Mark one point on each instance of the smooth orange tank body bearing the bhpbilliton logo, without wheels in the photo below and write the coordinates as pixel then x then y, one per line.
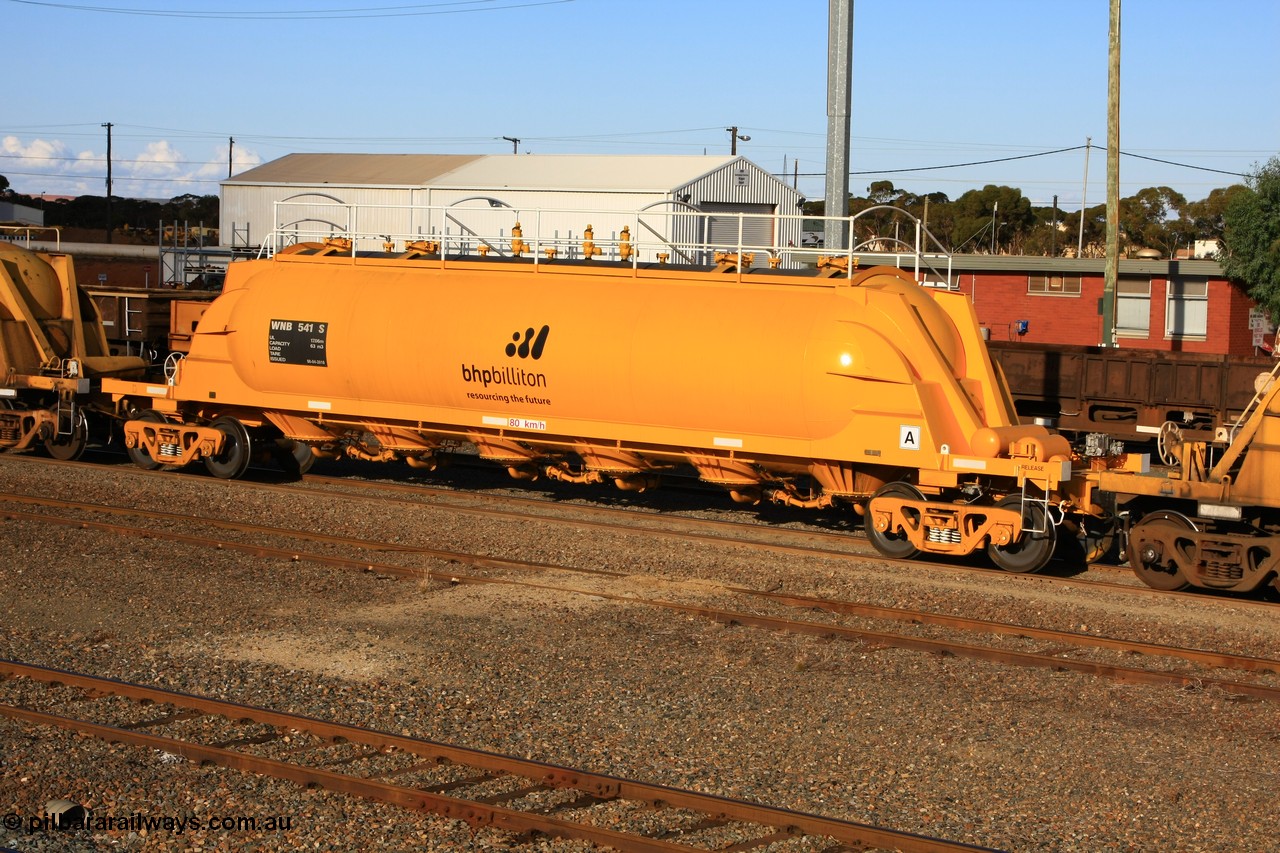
pixel 866 370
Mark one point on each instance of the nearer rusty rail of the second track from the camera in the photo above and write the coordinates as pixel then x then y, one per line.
pixel 1123 674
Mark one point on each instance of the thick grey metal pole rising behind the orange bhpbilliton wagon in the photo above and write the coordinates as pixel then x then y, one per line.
pixel 840 62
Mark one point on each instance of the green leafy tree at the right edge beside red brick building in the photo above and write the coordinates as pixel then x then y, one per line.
pixel 1251 239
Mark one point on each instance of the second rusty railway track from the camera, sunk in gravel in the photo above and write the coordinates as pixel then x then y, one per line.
pixel 1009 644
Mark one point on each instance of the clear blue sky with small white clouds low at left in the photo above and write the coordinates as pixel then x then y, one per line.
pixel 935 84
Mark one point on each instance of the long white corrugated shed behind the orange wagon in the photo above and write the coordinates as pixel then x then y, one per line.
pixel 428 195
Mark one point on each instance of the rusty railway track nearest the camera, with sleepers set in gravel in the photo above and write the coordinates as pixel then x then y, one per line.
pixel 481 788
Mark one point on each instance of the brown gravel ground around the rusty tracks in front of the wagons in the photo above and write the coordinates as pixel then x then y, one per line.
pixel 989 755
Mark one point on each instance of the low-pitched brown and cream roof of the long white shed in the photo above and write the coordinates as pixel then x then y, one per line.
pixel 514 171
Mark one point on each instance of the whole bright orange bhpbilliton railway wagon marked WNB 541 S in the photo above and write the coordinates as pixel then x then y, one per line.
pixel 815 386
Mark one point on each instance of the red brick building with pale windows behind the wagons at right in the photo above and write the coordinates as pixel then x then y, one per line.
pixel 1169 305
